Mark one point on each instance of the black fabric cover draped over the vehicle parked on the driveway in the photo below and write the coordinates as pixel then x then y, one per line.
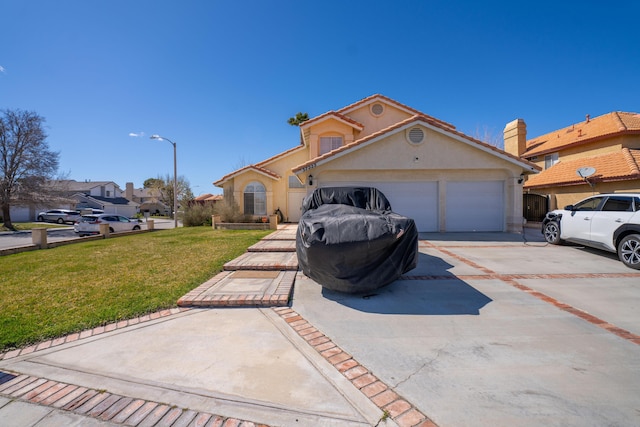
pixel 349 240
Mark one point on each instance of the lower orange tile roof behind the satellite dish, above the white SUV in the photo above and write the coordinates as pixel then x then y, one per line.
pixel 618 166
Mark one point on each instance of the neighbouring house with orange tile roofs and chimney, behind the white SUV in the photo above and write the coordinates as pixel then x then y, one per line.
pixel 608 144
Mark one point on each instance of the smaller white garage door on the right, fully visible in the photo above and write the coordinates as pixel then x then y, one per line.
pixel 475 206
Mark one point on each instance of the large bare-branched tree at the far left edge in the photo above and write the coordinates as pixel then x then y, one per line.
pixel 26 162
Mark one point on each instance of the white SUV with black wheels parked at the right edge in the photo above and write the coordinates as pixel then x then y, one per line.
pixel 606 221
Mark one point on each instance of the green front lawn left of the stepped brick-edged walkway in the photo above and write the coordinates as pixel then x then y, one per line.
pixel 53 292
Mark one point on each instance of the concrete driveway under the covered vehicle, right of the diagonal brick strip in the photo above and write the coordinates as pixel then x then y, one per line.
pixel 491 330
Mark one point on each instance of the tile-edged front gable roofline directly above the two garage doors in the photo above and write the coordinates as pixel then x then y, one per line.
pixel 420 117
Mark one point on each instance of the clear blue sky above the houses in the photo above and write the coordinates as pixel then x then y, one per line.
pixel 222 78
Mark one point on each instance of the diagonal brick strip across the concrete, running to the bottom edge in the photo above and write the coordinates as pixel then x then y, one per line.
pixel 399 409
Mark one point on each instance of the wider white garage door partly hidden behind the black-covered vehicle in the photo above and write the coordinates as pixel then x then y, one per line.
pixel 416 200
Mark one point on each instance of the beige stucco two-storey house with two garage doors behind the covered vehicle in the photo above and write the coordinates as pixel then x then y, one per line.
pixel 443 179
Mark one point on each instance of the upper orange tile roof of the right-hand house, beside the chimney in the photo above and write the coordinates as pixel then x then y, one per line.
pixel 604 126
